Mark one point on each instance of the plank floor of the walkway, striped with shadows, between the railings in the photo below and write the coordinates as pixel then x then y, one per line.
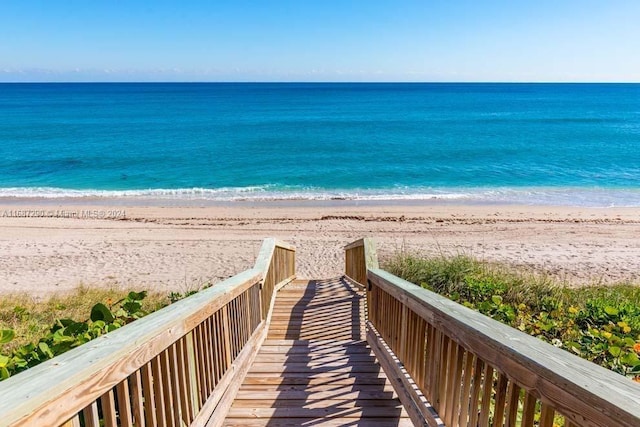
pixel 315 367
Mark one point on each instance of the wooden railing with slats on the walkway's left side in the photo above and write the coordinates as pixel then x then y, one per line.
pixel 179 366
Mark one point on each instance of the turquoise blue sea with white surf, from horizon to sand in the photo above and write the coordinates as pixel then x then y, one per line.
pixel 570 144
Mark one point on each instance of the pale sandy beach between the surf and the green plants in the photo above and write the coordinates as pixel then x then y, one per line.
pixel 50 246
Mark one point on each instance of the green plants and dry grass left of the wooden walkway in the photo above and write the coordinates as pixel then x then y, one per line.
pixel 33 331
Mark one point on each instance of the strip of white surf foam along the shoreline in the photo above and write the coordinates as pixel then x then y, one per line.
pixel 587 197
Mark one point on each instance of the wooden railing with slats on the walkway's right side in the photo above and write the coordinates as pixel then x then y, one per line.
pixel 457 367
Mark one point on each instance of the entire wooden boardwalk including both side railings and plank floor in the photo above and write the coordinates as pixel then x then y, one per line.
pixel 264 349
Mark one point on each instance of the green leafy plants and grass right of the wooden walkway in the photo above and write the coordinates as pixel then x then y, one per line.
pixel 598 323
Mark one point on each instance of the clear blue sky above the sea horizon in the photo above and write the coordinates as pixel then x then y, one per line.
pixel 321 40
